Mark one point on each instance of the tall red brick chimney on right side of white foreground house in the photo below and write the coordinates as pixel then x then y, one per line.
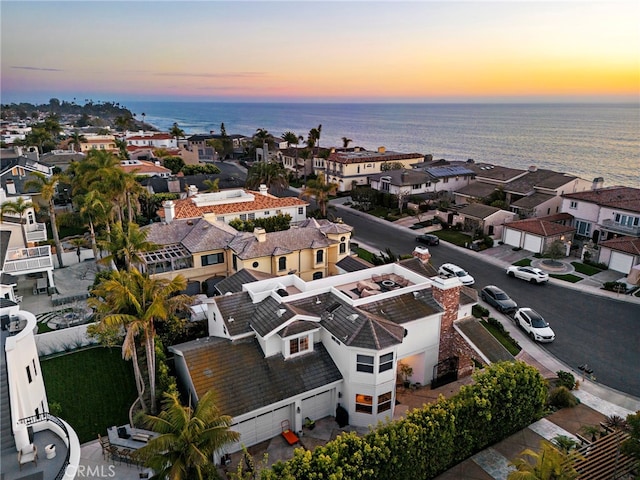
pixel 446 291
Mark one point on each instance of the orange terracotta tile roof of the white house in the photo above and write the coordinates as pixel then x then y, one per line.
pixel 186 208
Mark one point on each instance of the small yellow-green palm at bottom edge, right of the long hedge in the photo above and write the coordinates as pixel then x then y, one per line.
pixel 548 464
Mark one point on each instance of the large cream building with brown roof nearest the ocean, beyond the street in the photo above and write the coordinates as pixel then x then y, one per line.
pixel 348 168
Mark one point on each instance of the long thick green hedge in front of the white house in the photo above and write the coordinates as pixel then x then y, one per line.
pixel 506 397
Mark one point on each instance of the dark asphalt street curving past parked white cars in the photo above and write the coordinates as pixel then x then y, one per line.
pixel 604 333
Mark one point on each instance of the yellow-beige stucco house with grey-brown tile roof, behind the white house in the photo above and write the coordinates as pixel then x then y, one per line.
pixel 206 250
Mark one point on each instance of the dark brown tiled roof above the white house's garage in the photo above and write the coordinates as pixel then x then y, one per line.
pixel 245 381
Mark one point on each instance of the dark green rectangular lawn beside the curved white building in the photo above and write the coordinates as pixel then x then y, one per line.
pixel 94 387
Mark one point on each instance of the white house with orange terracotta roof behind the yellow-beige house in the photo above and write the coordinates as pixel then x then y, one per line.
pixel 231 204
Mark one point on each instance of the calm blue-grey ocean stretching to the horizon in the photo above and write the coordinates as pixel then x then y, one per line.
pixel 587 140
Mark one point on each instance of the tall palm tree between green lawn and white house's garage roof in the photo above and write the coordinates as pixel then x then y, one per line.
pixel 136 302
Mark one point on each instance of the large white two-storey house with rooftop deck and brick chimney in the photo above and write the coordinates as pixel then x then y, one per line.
pixel 283 349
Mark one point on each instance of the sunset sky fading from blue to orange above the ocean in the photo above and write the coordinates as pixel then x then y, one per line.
pixel 327 51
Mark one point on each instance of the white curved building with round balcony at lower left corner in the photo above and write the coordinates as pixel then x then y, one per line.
pixel 25 415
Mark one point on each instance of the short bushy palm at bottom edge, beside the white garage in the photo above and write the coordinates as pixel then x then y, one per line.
pixel 188 438
